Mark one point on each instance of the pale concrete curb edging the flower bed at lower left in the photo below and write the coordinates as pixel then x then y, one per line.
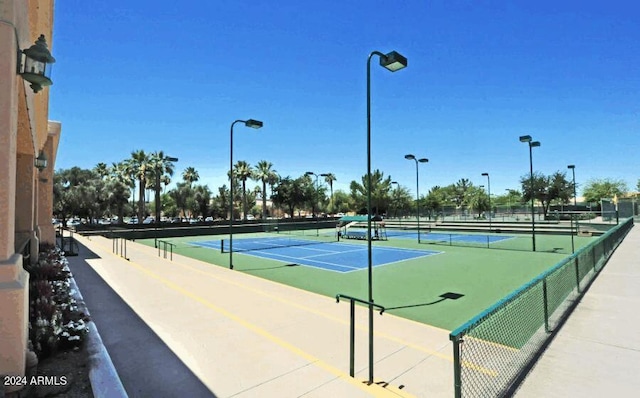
pixel 104 378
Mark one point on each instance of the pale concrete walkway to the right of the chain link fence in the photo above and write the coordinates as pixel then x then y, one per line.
pixel 597 351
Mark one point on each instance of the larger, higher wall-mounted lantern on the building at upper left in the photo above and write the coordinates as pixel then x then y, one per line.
pixel 34 68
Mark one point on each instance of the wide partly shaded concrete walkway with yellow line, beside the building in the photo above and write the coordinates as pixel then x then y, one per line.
pixel 188 328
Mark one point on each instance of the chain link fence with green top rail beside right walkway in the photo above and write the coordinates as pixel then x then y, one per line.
pixel 492 350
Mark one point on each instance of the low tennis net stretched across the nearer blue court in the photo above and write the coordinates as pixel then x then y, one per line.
pixel 275 242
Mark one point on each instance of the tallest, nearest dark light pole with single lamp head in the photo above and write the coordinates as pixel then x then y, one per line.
pixel 392 62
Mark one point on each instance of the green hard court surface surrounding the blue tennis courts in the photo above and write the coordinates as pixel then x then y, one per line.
pixel 414 287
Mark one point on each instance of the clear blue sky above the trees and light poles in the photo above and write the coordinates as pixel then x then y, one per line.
pixel 172 76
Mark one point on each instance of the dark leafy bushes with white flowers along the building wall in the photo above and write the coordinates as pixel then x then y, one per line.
pixel 55 321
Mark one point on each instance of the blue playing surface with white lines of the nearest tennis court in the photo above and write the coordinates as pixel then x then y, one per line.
pixel 335 256
